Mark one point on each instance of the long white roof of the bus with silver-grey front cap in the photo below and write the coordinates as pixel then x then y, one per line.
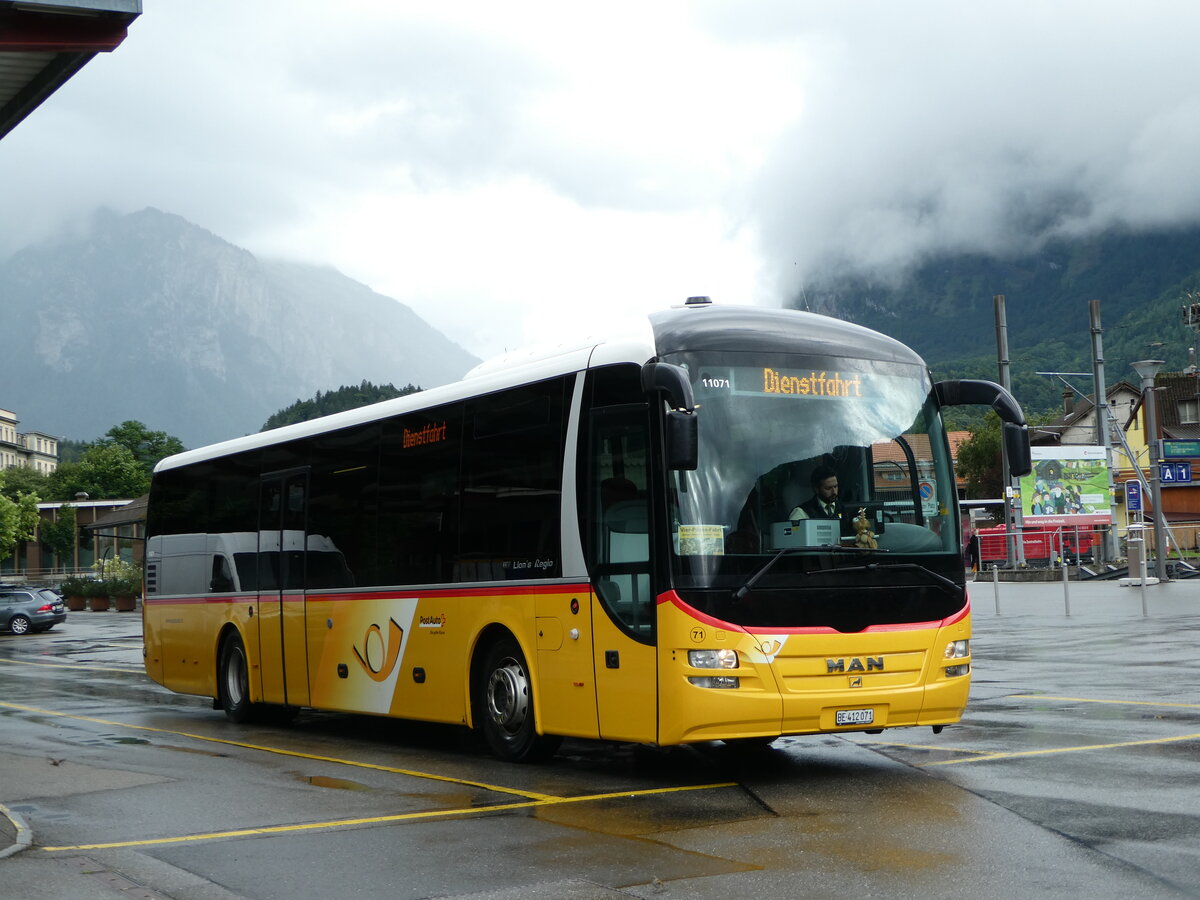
pixel 693 327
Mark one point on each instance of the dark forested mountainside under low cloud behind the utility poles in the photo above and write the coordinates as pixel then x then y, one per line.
pixel 944 309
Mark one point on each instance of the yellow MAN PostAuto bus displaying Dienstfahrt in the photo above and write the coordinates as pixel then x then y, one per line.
pixel 608 541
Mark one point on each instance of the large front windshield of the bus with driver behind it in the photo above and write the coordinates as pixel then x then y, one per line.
pixel 825 463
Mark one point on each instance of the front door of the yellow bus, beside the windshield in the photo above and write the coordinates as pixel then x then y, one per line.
pixel 619 554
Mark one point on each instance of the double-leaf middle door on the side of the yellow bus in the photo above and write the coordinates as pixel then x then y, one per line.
pixel 281 581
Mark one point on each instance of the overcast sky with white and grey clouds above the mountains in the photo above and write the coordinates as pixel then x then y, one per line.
pixel 514 170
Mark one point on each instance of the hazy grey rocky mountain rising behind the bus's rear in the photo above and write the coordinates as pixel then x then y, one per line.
pixel 149 317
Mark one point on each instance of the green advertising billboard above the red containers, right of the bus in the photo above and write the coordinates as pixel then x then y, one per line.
pixel 1069 487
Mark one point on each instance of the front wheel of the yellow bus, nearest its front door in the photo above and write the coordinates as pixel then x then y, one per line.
pixel 505 706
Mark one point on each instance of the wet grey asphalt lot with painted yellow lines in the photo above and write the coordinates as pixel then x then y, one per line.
pixel 1076 772
